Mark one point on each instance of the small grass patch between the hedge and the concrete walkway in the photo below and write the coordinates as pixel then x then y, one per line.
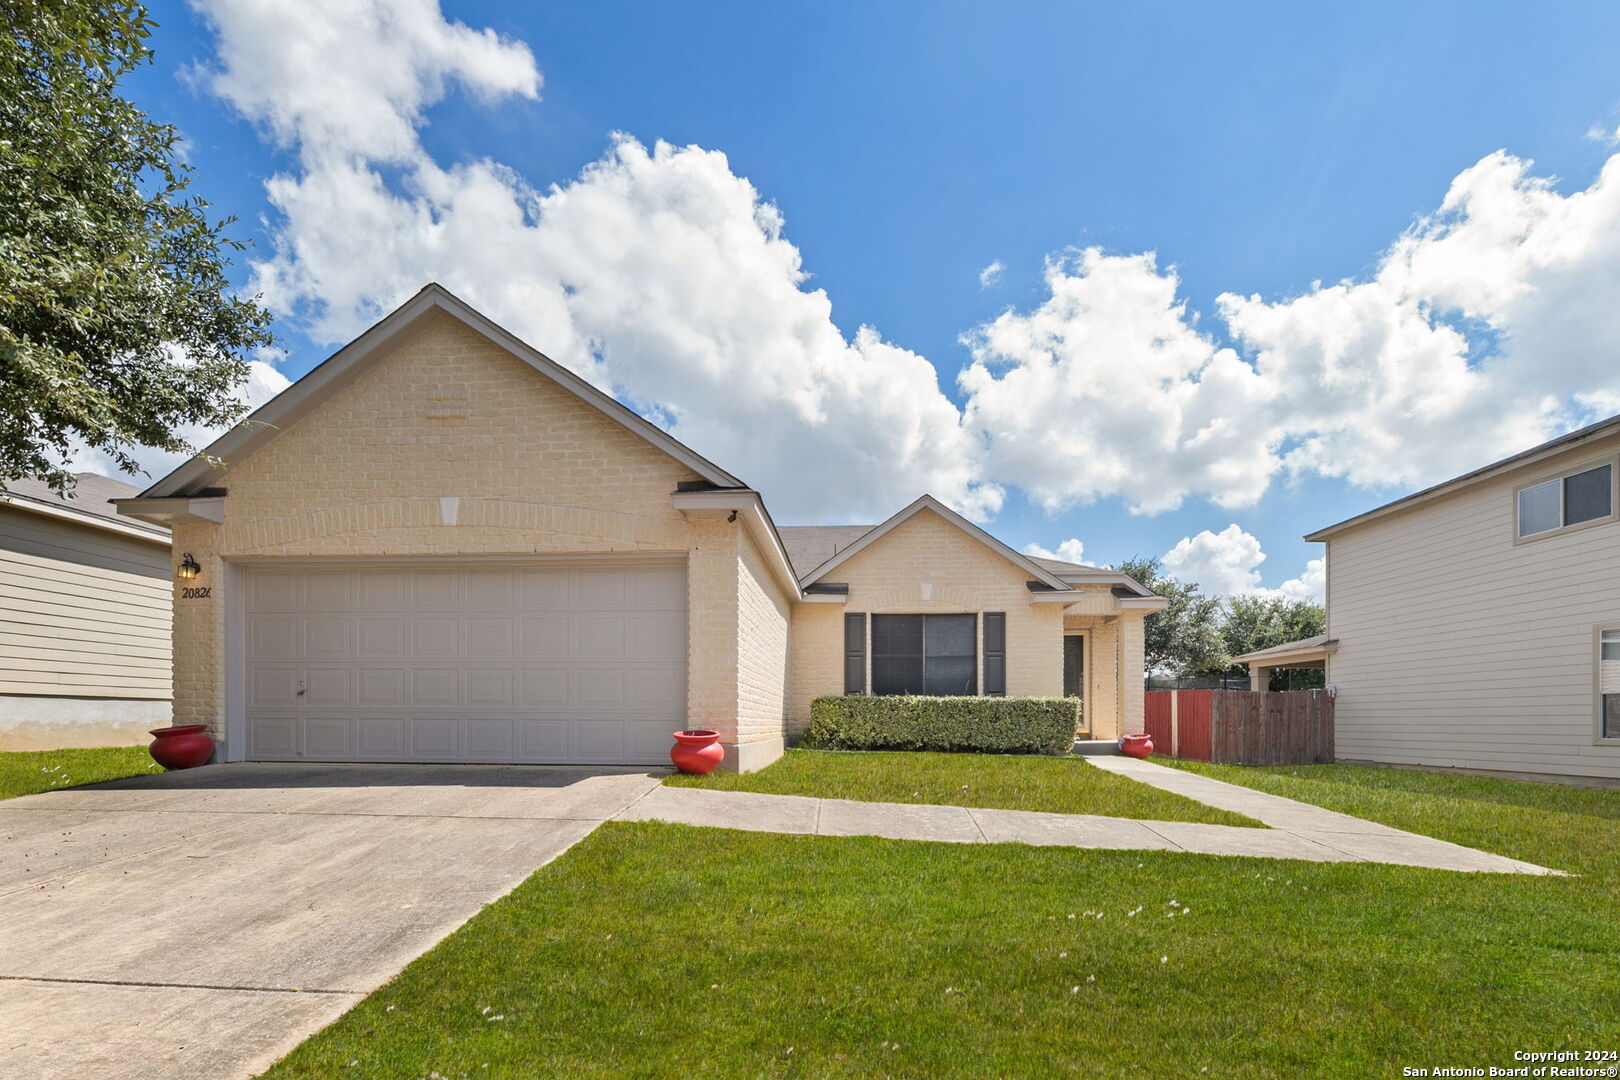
pixel 1064 786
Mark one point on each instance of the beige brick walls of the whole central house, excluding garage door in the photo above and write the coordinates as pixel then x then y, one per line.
pixel 448 446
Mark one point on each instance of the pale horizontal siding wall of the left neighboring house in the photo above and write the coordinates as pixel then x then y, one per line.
pixel 85 613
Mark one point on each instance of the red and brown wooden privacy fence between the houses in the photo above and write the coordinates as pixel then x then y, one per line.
pixel 1242 726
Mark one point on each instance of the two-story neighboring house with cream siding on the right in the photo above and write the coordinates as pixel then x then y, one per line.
pixel 1477 624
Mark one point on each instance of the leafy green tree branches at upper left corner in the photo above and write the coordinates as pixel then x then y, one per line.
pixel 117 325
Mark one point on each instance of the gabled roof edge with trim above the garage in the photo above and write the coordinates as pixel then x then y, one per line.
pixel 349 362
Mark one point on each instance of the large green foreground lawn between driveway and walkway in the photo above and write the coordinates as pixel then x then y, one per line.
pixel 668 951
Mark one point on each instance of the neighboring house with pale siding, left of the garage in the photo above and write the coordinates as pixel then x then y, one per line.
pixel 85 657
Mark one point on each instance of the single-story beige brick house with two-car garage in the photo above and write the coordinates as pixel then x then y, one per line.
pixel 443 546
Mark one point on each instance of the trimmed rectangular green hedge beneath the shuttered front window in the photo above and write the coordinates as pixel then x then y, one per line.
pixel 916 723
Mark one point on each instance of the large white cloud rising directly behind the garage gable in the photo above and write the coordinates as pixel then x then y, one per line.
pixel 655 273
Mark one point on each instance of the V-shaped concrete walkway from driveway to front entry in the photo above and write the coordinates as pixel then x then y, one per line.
pixel 1297 830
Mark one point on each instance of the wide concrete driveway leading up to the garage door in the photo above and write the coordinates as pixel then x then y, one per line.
pixel 203 924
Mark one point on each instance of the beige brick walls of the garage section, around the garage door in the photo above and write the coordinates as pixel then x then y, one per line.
pixel 535 470
